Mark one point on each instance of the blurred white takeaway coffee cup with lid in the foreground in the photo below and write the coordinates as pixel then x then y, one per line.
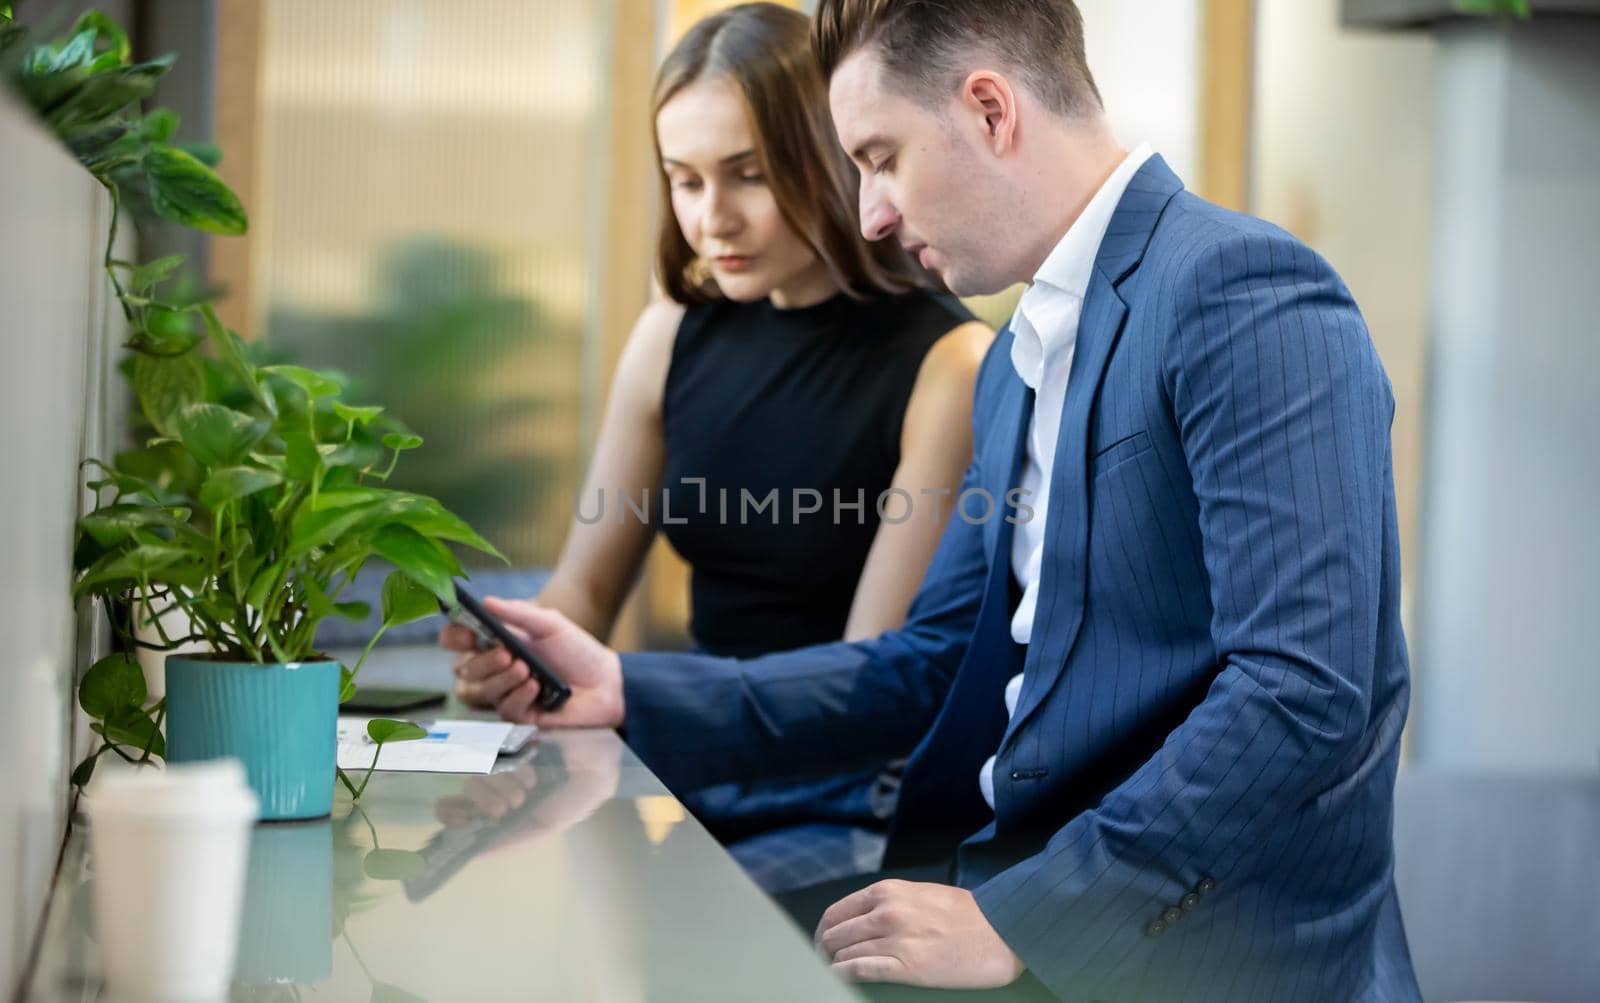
pixel 169 852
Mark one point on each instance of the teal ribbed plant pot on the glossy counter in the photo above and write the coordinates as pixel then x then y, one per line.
pixel 282 721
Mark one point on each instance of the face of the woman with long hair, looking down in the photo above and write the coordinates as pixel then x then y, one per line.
pixel 724 206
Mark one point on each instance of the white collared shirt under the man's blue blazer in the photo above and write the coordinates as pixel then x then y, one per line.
pixel 1044 340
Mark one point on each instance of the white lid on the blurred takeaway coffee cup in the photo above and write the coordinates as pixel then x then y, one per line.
pixel 215 789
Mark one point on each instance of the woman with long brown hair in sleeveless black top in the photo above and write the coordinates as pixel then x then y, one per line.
pixel 794 417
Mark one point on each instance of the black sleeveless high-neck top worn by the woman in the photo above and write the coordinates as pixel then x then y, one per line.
pixel 783 414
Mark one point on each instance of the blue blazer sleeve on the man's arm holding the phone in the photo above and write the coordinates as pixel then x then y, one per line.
pixel 700 721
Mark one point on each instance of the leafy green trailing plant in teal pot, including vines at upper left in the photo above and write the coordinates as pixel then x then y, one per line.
pixel 257 494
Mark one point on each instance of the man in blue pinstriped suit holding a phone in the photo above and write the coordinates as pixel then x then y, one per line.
pixel 1158 725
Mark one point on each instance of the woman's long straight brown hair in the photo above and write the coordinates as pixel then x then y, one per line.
pixel 766 54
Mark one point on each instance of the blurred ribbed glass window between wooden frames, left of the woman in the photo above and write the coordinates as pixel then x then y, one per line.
pixel 434 182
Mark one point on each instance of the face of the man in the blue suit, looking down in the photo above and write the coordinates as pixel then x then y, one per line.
pixel 926 177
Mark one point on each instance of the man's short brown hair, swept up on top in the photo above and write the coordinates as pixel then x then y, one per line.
pixel 927 46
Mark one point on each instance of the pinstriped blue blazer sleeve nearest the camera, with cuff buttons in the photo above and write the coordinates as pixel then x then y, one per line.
pixel 1284 414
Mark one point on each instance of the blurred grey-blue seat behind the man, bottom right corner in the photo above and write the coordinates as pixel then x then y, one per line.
pixel 1500 884
